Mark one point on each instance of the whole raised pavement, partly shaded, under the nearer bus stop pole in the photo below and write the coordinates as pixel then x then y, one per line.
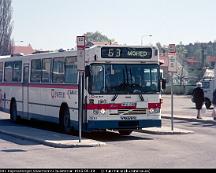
pixel 48 138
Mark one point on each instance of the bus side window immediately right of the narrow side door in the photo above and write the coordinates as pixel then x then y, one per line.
pixel 36 70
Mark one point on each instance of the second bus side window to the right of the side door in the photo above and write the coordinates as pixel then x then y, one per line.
pixel 46 70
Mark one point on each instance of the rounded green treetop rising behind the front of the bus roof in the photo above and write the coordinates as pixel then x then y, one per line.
pixel 97 37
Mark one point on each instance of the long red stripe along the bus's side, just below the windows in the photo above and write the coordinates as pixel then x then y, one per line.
pixel 61 86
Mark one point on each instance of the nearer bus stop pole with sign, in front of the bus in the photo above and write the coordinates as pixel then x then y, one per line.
pixel 81 70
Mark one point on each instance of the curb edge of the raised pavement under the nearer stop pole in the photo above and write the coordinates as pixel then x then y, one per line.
pixel 56 144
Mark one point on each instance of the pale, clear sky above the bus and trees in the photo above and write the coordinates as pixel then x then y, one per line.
pixel 54 24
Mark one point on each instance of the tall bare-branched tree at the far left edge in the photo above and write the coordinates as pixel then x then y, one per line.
pixel 6 27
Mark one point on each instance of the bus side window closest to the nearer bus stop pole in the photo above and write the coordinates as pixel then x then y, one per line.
pixel 71 70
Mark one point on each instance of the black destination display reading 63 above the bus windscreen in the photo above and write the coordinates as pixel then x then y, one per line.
pixel 126 52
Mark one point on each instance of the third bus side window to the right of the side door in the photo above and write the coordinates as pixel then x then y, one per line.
pixel 58 70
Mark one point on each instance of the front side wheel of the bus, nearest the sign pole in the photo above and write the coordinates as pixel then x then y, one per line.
pixel 64 119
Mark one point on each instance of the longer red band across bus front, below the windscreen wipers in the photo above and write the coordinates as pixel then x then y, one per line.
pixel 108 106
